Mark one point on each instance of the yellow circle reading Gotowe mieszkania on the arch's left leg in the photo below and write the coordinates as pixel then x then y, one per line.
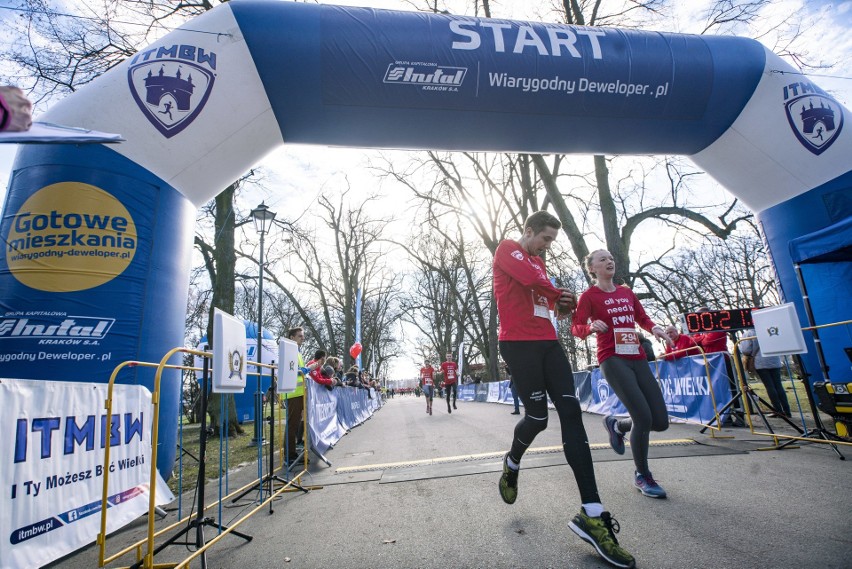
pixel 68 237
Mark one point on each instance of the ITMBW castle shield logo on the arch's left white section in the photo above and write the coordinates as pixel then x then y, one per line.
pixel 171 85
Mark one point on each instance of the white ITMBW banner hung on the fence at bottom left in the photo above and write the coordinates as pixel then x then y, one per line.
pixel 51 466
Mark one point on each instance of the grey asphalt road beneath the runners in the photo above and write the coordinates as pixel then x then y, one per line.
pixel 409 490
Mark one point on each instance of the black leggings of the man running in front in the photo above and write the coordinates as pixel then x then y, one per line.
pixel 540 368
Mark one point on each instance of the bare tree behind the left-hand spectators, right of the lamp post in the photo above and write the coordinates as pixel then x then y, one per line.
pixel 333 262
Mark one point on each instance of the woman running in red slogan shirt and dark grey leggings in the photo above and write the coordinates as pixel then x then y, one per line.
pixel 612 312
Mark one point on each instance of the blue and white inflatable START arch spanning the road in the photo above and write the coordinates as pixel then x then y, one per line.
pixel 98 240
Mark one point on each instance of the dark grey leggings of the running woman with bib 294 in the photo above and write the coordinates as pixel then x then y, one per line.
pixel 637 388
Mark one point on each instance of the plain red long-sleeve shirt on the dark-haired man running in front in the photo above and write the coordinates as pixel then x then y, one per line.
pixel 524 294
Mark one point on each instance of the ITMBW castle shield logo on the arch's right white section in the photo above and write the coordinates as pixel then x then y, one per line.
pixel 815 118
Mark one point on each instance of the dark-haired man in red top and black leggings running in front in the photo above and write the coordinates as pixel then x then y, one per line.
pixel 539 367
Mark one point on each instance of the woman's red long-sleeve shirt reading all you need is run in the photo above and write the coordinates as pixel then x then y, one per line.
pixel 621 311
